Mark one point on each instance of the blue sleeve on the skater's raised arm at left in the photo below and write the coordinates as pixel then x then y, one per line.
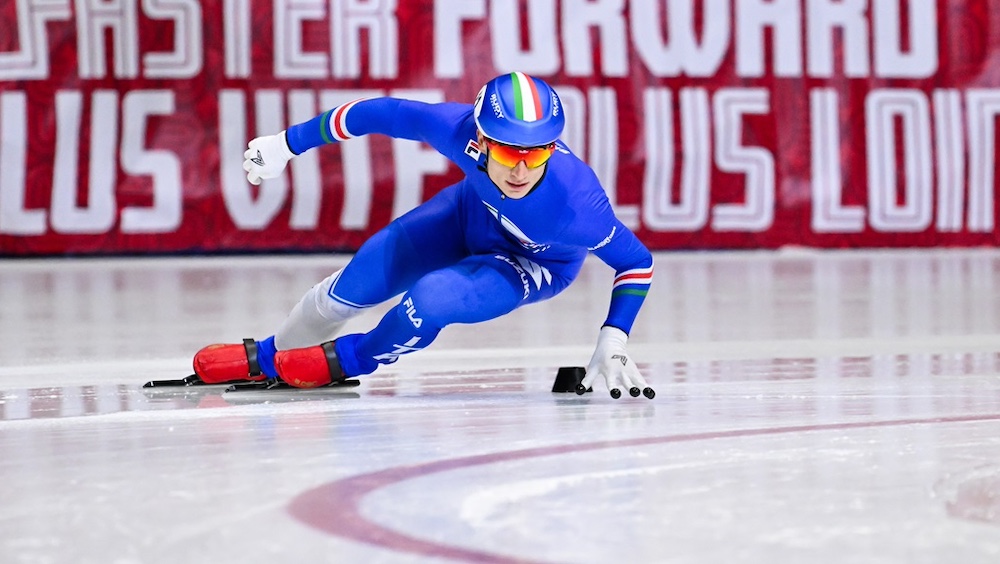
pixel 438 125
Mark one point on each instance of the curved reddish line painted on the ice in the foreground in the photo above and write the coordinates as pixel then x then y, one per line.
pixel 335 508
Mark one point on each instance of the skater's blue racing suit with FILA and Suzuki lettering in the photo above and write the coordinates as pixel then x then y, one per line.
pixel 470 254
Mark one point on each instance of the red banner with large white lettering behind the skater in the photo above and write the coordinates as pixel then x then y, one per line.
pixel 712 123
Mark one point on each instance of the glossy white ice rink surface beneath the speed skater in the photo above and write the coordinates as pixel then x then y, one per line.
pixel 811 407
